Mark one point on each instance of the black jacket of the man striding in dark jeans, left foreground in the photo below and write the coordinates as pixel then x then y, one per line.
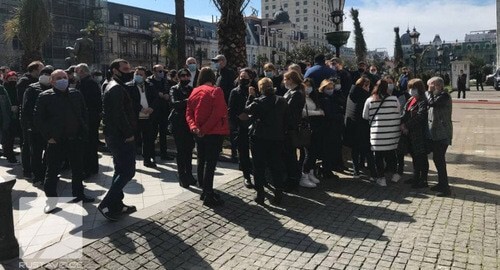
pixel 119 117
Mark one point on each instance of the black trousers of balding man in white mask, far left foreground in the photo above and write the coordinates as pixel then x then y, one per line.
pixel 55 154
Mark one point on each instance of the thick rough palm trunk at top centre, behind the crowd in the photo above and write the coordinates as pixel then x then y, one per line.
pixel 232 31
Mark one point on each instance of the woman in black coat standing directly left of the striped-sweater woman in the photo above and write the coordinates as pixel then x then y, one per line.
pixel 357 132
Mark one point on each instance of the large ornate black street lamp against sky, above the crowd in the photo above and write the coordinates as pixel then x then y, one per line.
pixel 337 38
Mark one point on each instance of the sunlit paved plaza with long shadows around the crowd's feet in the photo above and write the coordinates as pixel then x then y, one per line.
pixel 345 224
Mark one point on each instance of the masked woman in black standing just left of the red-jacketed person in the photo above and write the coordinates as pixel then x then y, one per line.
pixel 184 140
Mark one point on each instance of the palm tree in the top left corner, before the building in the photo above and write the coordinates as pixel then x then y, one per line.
pixel 32 25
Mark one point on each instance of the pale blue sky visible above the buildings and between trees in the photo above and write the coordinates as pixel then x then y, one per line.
pixel 451 19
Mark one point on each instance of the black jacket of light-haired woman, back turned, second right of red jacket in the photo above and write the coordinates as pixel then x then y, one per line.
pixel 269 116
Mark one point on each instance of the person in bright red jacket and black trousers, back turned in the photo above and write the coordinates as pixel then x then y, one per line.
pixel 206 115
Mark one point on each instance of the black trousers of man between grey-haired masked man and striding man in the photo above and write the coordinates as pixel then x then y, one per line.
pixel 91 158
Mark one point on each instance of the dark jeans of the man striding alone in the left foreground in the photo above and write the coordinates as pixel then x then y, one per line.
pixel 124 162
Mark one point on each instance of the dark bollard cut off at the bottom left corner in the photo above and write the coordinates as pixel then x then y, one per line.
pixel 9 247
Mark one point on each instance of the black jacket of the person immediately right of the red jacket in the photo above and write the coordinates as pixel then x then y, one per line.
pixel 236 106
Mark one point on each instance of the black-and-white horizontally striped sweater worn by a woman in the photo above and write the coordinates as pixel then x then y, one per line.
pixel 385 127
